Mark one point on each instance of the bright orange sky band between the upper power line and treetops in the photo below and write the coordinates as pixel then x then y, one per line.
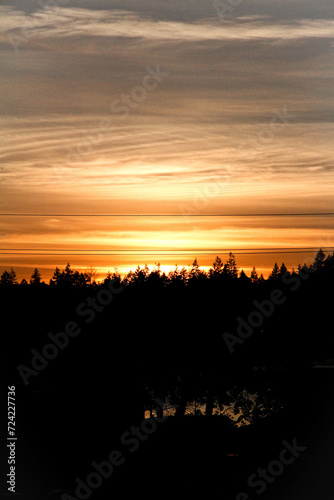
pixel 125 242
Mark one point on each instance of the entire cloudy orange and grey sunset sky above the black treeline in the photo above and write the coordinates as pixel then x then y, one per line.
pixel 165 108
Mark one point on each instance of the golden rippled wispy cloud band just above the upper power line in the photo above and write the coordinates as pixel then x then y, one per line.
pixel 163 161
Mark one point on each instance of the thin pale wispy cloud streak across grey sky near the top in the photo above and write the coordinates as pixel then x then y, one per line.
pixel 73 22
